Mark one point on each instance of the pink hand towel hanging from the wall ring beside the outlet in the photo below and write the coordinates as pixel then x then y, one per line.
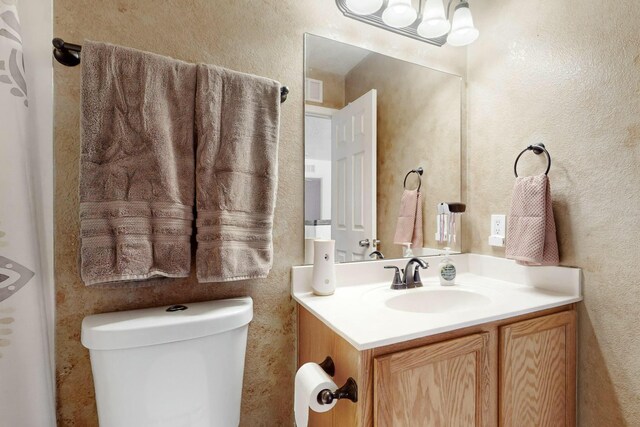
pixel 531 228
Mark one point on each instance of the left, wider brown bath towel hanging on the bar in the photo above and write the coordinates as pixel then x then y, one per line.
pixel 136 165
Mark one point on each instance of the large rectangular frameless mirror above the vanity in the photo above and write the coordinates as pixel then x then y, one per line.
pixel 371 121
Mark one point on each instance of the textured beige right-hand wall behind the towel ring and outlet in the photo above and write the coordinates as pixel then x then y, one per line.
pixel 567 73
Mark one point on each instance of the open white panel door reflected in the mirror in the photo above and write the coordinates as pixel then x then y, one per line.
pixel 353 158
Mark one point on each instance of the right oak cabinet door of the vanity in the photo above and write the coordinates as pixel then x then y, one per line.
pixel 537 372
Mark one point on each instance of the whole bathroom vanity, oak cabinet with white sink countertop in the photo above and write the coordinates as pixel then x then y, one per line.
pixel 497 349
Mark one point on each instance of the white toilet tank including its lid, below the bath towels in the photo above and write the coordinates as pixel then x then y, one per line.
pixel 179 366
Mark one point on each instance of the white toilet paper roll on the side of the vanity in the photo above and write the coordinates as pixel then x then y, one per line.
pixel 310 380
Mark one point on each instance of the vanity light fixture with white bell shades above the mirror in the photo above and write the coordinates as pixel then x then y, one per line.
pixel 430 23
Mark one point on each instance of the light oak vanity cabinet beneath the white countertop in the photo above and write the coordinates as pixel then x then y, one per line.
pixel 514 372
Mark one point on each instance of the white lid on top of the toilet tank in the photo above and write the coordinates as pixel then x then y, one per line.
pixel 159 325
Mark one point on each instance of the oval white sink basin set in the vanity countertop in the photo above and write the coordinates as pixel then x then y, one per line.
pixel 437 301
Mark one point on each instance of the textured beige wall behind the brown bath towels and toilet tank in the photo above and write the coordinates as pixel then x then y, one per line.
pixel 264 38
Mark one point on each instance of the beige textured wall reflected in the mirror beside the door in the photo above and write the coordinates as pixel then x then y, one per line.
pixel 418 125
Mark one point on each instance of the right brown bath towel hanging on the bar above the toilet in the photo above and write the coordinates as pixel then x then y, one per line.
pixel 237 122
